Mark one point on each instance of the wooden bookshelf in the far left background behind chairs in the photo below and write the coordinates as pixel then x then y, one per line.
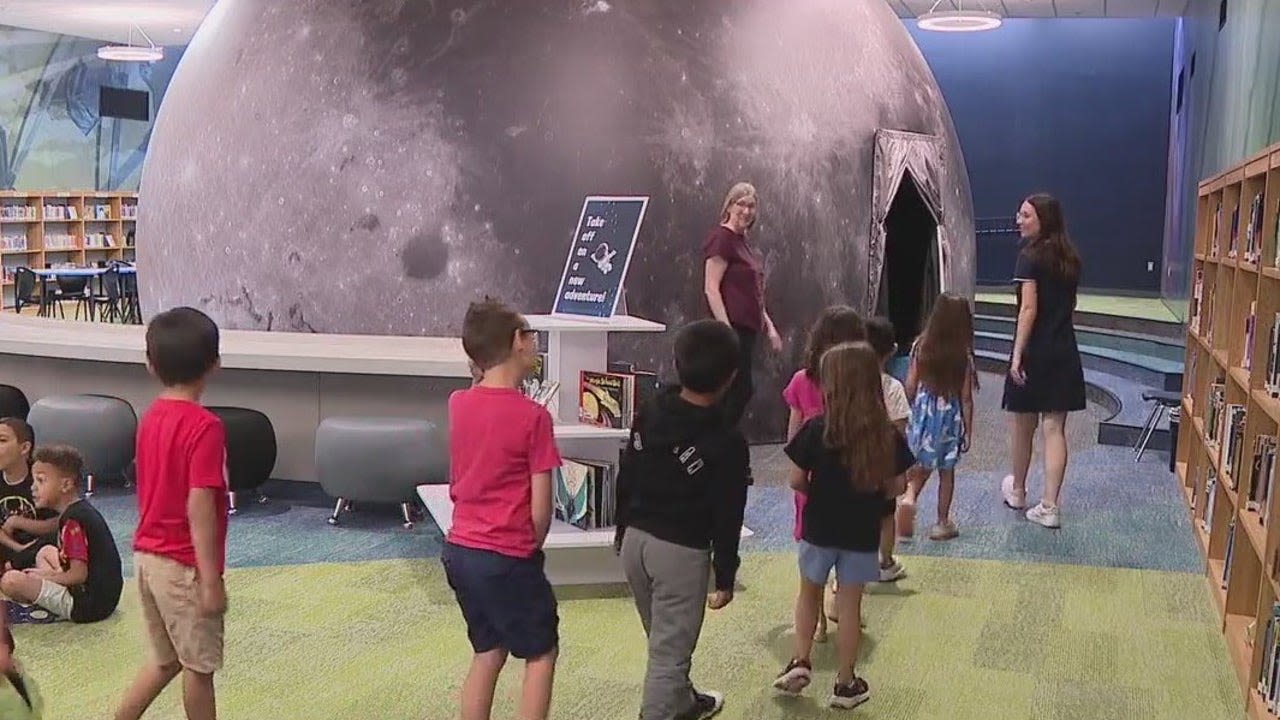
pixel 68 227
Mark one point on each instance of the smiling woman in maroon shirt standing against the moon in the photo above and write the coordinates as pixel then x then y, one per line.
pixel 734 285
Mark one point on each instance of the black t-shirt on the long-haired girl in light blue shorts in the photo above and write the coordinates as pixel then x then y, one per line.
pixel 835 514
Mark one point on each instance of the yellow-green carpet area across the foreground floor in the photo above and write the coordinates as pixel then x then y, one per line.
pixel 957 640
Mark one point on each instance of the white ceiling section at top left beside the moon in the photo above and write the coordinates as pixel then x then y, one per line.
pixel 168 22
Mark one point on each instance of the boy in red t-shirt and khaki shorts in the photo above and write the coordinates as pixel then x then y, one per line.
pixel 181 540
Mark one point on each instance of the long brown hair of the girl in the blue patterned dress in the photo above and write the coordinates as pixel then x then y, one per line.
pixel 945 348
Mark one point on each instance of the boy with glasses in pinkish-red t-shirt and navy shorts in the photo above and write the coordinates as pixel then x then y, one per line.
pixel 502 453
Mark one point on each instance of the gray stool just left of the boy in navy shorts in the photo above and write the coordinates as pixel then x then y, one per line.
pixel 378 461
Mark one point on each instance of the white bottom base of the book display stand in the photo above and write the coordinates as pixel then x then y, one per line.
pixel 574 557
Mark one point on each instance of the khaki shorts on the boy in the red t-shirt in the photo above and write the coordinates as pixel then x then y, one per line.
pixel 171 608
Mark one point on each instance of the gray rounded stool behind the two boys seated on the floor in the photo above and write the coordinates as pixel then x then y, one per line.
pixel 103 429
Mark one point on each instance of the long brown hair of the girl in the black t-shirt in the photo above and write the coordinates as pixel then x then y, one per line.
pixel 857 423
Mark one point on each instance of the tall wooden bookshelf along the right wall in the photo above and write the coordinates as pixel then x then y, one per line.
pixel 1226 459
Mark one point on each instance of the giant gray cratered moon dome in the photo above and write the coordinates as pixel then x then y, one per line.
pixel 405 158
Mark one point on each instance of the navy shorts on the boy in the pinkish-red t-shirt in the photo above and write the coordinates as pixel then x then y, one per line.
pixel 506 601
